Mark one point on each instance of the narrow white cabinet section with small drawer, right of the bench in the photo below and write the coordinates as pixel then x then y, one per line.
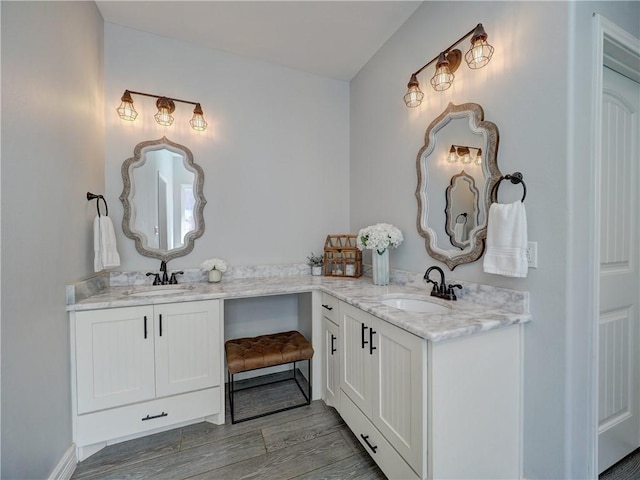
pixel 331 351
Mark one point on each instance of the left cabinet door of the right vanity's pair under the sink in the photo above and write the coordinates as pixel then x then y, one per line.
pixel 355 378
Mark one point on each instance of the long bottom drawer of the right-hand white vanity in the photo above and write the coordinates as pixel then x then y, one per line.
pixel 389 461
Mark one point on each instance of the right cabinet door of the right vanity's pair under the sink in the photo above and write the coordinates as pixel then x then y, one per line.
pixel 398 392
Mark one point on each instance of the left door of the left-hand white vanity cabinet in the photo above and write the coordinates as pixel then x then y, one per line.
pixel 114 364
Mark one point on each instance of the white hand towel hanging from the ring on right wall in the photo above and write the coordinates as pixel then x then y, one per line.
pixel 507 240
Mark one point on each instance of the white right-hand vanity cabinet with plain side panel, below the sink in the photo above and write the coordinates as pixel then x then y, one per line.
pixel 438 410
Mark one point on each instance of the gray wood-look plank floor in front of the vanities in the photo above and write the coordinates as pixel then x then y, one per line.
pixel 310 442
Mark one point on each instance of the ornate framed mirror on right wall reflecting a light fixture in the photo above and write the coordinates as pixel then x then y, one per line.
pixel 457 168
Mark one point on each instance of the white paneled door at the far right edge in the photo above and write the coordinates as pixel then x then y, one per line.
pixel 619 332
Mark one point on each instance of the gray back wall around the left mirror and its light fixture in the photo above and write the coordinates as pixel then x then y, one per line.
pixel 274 156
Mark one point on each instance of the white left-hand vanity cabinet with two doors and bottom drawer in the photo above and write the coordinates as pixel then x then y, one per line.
pixel 140 368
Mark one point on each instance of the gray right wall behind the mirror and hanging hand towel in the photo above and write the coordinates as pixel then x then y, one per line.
pixel 537 91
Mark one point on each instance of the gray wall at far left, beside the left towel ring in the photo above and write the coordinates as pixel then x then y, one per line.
pixel 52 153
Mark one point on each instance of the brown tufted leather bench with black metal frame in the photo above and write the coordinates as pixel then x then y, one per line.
pixel 253 353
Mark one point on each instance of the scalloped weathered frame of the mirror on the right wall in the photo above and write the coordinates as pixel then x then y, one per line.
pixel 475 114
